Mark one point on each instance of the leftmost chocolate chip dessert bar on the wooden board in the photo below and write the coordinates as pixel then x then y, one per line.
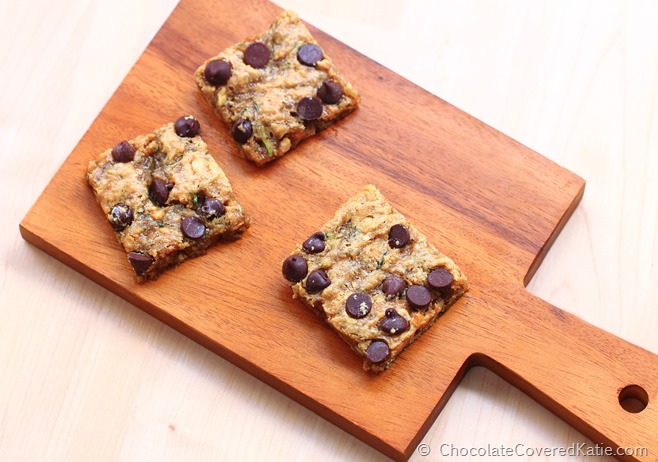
pixel 165 197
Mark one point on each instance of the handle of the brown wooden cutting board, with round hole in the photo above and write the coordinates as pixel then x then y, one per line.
pixel 600 384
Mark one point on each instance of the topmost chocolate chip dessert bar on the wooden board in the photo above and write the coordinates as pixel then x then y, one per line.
pixel 275 90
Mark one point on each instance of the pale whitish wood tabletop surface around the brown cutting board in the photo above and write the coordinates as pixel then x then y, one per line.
pixel 86 376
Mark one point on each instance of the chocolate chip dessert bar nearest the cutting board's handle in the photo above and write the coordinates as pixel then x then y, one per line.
pixel 374 278
